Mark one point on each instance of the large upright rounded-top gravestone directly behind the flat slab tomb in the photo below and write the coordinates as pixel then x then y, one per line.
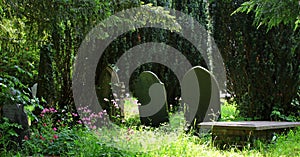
pixel 201 95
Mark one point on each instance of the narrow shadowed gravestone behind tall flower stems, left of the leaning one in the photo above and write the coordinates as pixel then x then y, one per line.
pixel 109 101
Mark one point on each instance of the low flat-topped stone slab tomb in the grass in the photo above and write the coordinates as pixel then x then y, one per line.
pixel 241 133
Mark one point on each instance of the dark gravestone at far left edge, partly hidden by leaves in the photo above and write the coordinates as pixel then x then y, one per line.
pixel 16 114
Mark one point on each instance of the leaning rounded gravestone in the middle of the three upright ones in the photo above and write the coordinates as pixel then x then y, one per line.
pixel 151 94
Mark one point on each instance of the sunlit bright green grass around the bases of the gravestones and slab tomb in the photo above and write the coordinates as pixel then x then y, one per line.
pixel 133 139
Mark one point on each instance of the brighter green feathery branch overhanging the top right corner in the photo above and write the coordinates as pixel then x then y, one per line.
pixel 272 13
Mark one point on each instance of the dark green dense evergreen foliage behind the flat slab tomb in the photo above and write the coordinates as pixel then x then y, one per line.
pixel 262 67
